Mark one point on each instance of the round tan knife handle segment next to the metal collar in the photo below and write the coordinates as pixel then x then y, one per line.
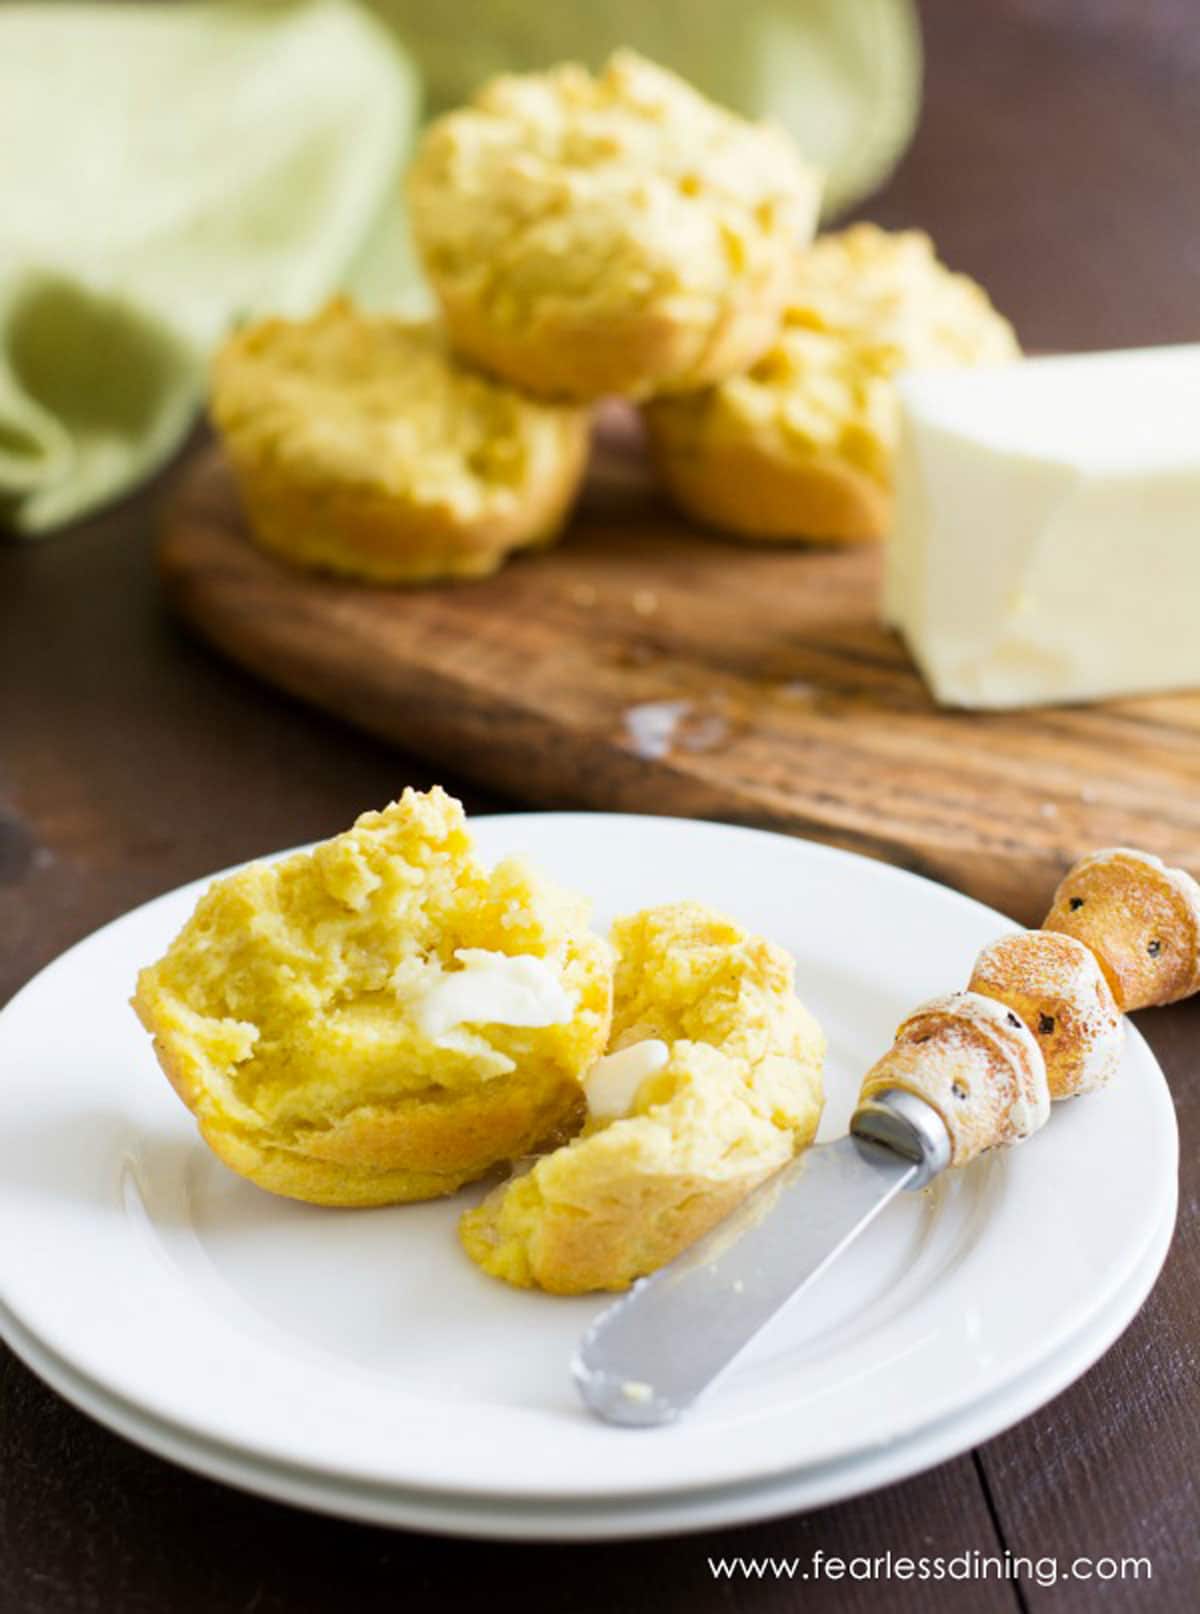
pixel 978 1064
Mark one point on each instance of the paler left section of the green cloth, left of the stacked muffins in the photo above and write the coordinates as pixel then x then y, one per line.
pixel 164 172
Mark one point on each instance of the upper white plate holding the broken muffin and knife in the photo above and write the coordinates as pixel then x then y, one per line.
pixel 364 1348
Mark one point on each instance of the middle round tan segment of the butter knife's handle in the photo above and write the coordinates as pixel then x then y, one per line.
pixel 1060 992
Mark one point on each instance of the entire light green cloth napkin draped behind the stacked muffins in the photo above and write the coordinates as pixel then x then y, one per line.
pixel 170 169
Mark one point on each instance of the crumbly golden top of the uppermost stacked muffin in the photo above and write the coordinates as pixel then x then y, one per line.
pixel 603 193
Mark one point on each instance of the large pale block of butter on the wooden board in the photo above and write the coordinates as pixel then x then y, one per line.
pixel 1047 530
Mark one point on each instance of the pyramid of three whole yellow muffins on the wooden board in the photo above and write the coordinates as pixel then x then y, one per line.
pixel 585 238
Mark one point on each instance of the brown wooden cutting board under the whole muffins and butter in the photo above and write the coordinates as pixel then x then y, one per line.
pixel 647 667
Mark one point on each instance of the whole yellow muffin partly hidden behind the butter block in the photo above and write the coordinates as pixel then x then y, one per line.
pixel 802 445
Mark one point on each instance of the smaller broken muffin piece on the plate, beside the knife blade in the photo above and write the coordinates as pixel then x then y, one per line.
pixel 723 1085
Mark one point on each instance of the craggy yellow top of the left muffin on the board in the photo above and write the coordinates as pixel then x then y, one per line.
pixel 384 406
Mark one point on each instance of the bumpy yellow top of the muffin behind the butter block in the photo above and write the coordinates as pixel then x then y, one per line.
pixel 865 306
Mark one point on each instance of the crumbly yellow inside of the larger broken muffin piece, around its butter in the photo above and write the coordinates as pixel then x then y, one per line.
pixel 292 1000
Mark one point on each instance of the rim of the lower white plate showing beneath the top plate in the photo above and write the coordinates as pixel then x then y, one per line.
pixel 661 1515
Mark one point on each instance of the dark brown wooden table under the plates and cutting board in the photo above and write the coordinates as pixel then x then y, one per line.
pixel 1059 162
